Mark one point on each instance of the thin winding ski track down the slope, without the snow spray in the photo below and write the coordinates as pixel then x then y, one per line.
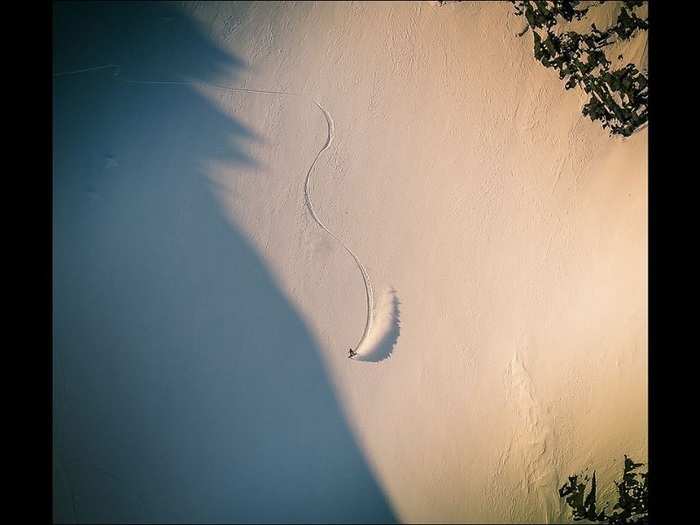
pixel 307 196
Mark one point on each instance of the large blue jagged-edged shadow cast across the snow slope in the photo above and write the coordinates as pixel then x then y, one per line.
pixel 175 397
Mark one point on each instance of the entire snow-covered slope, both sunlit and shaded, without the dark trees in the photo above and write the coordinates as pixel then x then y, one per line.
pixel 202 317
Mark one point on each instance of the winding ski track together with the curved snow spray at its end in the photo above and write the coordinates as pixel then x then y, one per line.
pixel 377 349
